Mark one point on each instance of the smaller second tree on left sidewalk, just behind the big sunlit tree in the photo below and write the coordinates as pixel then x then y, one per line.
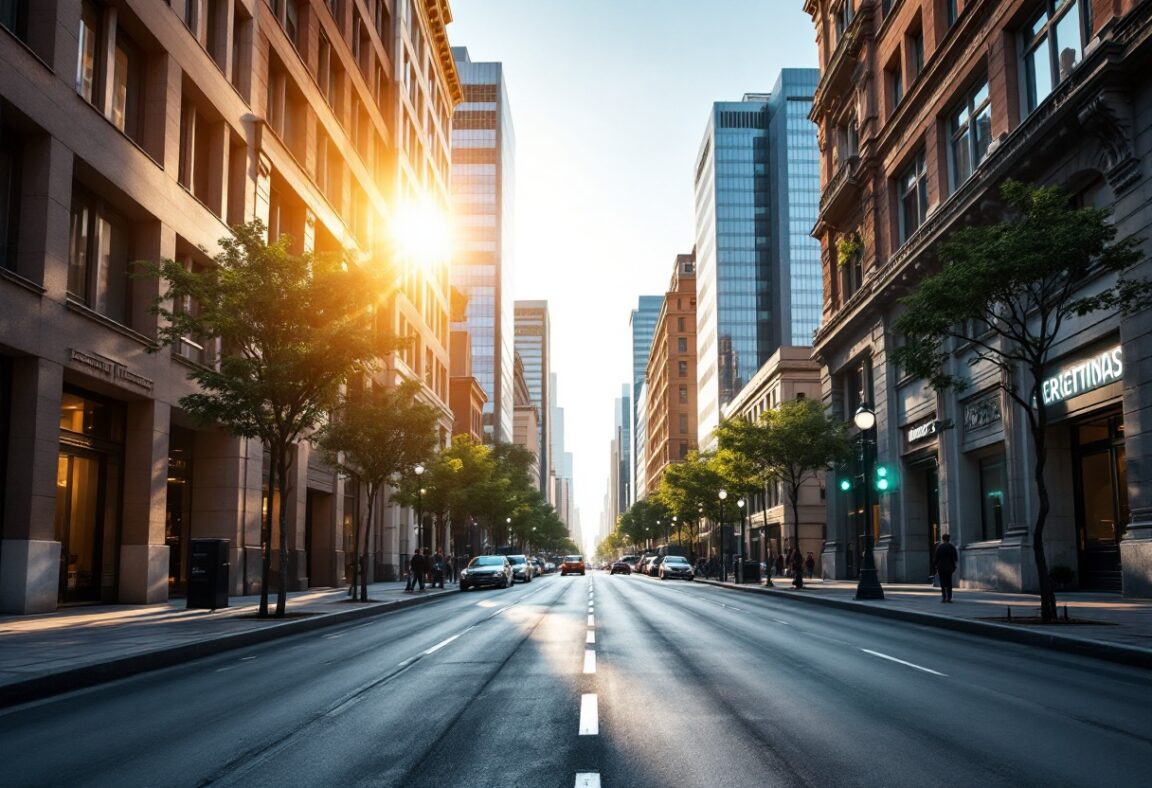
pixel 375 437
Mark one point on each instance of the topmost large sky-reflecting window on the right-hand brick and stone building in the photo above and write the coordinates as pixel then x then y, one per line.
pixel 1054 47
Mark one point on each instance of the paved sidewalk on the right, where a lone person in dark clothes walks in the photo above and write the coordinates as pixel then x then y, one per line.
pixel 1105 626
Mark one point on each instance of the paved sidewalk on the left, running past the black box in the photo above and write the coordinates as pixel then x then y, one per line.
pixel 81 647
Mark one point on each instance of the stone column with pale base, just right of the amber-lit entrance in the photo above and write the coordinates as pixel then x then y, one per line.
pixel 143 551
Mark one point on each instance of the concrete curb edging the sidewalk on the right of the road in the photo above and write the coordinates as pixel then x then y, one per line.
pixel 1112 653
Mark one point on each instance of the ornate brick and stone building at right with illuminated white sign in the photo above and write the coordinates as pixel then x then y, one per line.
pixel 926 108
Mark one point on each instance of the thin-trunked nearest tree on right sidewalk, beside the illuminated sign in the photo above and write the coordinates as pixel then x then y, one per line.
pixel 1005 294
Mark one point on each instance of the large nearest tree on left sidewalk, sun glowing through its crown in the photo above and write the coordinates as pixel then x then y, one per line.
pixel 292 330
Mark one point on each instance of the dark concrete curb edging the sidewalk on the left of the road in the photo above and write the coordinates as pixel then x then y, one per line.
pixel 100 673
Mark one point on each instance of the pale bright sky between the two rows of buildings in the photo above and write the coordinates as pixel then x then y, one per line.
pixel 610 101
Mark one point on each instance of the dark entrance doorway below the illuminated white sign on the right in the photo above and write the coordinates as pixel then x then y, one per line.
pixel 1102 501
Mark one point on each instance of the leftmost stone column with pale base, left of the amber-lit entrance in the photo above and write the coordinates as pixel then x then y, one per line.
pixel 31 554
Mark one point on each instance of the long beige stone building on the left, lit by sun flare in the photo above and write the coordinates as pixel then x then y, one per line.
pixel 142 131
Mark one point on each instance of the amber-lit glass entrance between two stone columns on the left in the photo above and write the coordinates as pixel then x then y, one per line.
pixel 89 483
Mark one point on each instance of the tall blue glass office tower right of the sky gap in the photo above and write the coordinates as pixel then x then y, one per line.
pixel 757 194
